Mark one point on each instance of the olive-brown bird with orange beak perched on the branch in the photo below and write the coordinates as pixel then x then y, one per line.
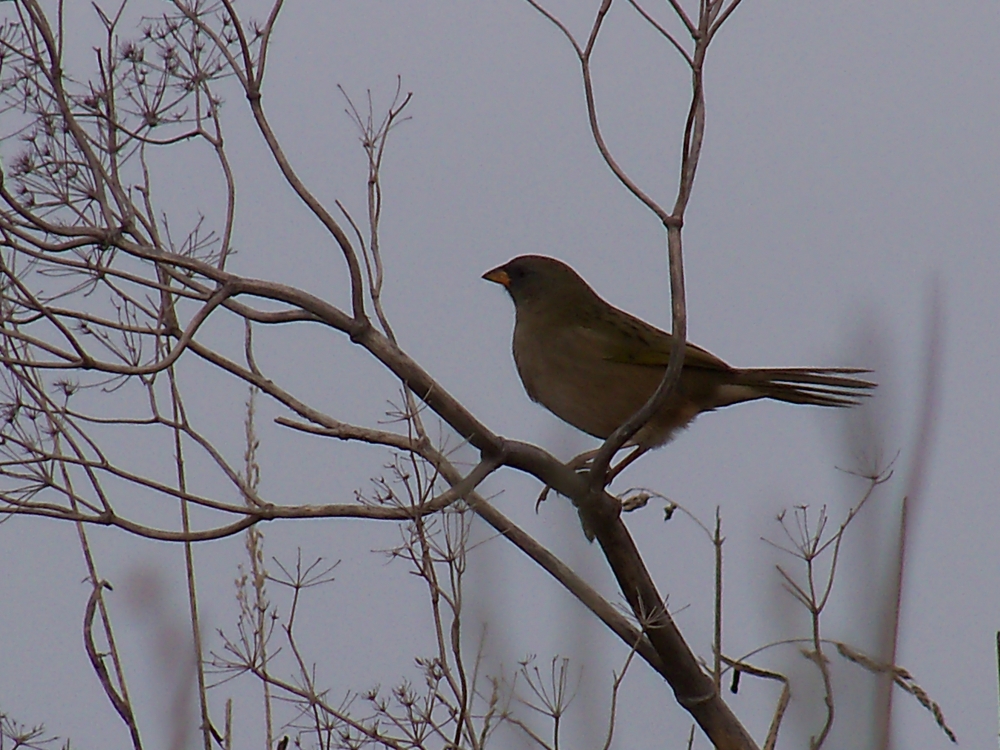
pixel 594 365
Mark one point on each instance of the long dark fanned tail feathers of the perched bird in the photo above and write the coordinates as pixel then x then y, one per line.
pixel 826 386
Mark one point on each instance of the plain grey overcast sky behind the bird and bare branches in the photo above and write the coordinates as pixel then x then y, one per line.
pixel 851 161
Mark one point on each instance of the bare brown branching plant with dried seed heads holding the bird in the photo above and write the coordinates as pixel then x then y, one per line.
pixel 104 319
